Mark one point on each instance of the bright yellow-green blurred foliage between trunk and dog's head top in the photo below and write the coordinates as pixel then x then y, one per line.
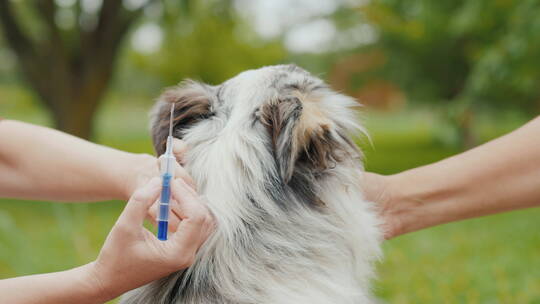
pixel 206 40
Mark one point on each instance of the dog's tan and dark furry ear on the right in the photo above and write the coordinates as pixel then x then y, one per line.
pixel 302 136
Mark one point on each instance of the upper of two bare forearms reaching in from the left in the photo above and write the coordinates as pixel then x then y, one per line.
pixel 42 163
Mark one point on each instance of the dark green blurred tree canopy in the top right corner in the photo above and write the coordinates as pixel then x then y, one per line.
pixel 486 52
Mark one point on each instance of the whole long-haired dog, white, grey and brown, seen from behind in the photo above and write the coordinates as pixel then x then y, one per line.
pixel 270 152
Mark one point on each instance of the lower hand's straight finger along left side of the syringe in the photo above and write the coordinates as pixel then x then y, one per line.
pixel 137 206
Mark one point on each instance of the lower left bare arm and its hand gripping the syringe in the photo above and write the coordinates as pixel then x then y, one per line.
pixel 130 257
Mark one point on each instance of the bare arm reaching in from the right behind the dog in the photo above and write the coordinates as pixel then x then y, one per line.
pixel 501 175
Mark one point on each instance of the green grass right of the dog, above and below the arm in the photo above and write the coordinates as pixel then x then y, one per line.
pixel 492 259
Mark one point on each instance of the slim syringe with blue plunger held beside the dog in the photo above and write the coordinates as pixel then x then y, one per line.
pixel 167 174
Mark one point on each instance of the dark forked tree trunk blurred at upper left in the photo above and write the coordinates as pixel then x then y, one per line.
pixel 69 66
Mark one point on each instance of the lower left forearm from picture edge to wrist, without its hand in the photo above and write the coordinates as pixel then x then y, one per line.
pixel 78 285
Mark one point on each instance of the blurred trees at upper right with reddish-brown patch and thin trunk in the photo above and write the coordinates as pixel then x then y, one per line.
pixel 458 57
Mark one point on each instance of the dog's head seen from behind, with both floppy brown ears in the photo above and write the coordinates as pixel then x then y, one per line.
pixel 283 110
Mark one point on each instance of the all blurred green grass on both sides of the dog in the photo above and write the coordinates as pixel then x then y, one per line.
pixel 493 259
